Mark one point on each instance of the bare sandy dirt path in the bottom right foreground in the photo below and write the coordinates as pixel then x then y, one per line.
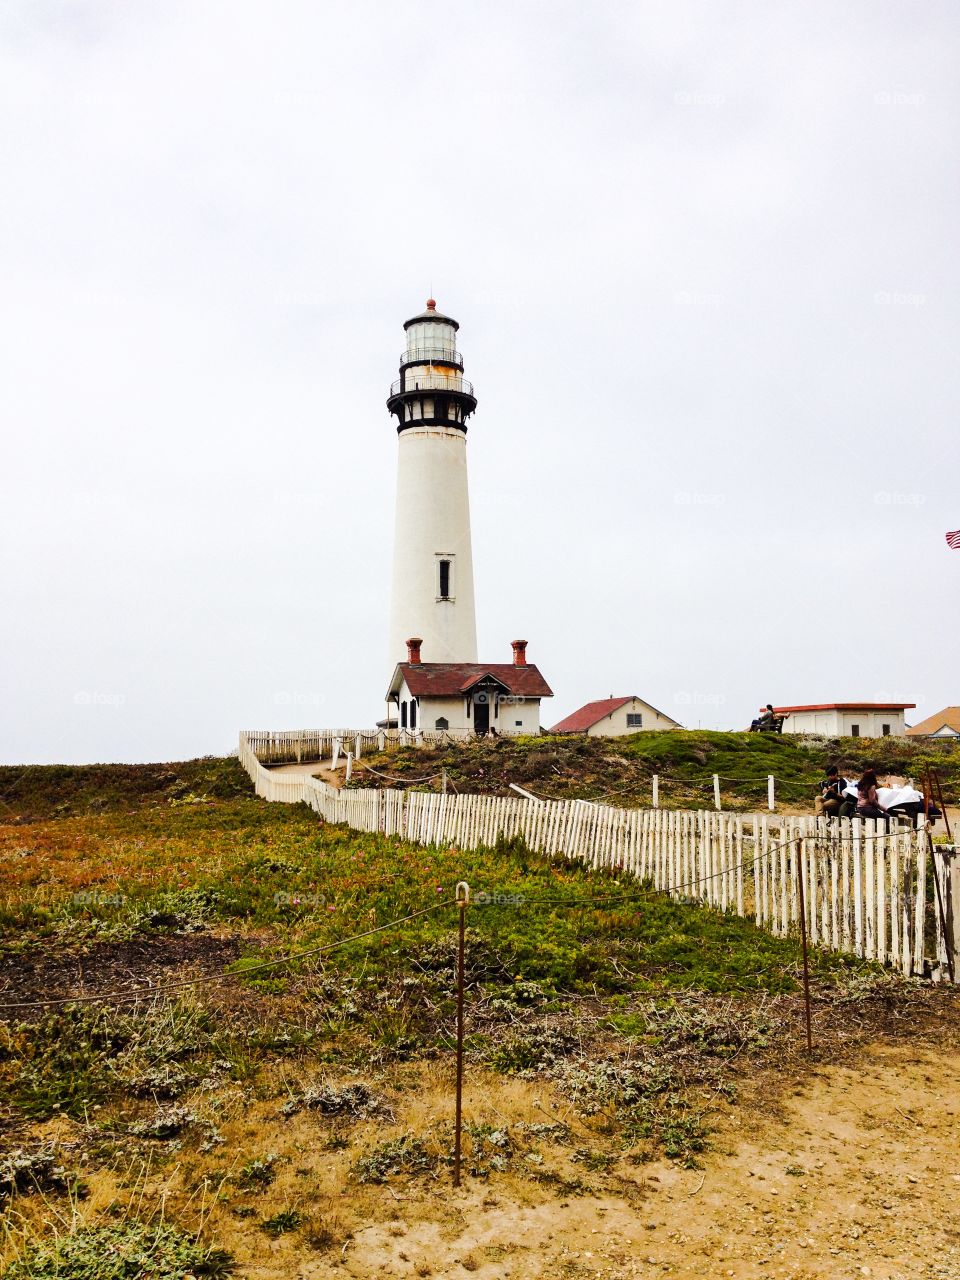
pixel 860 1176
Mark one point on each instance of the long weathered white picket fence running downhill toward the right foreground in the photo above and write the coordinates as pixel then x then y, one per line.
pixel 865 888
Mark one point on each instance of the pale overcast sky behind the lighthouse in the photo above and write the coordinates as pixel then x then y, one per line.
pixel 705 258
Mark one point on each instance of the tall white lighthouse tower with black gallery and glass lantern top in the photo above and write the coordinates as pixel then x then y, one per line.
pixel 433 564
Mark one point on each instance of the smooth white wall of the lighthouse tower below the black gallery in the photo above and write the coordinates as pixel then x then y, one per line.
pixel 432 520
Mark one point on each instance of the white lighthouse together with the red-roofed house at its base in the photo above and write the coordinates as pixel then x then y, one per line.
pixel 442 687
